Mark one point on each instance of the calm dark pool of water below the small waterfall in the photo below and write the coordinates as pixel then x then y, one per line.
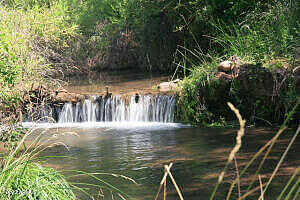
pixel 198 155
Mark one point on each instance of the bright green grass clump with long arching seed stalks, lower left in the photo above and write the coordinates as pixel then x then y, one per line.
pixel 22 176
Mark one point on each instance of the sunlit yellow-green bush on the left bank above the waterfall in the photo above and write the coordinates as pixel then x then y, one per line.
pixel 29 40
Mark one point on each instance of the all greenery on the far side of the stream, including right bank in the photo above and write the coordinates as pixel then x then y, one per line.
pixel 187 37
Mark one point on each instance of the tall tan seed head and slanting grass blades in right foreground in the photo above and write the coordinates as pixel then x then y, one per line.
pixel 290 189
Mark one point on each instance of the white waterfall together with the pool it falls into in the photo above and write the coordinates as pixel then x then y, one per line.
pixel 138 144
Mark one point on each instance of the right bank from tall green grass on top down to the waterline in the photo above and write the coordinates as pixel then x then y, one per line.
pixel 266 40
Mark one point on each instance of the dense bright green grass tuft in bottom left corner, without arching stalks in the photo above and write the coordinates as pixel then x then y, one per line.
pixel 21 178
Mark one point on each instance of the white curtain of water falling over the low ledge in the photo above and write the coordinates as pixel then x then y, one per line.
pixel 146 108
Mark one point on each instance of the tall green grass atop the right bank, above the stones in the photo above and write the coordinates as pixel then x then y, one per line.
pixel 261 37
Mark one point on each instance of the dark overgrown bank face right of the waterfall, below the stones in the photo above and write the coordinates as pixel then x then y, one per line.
pixel 262 95
